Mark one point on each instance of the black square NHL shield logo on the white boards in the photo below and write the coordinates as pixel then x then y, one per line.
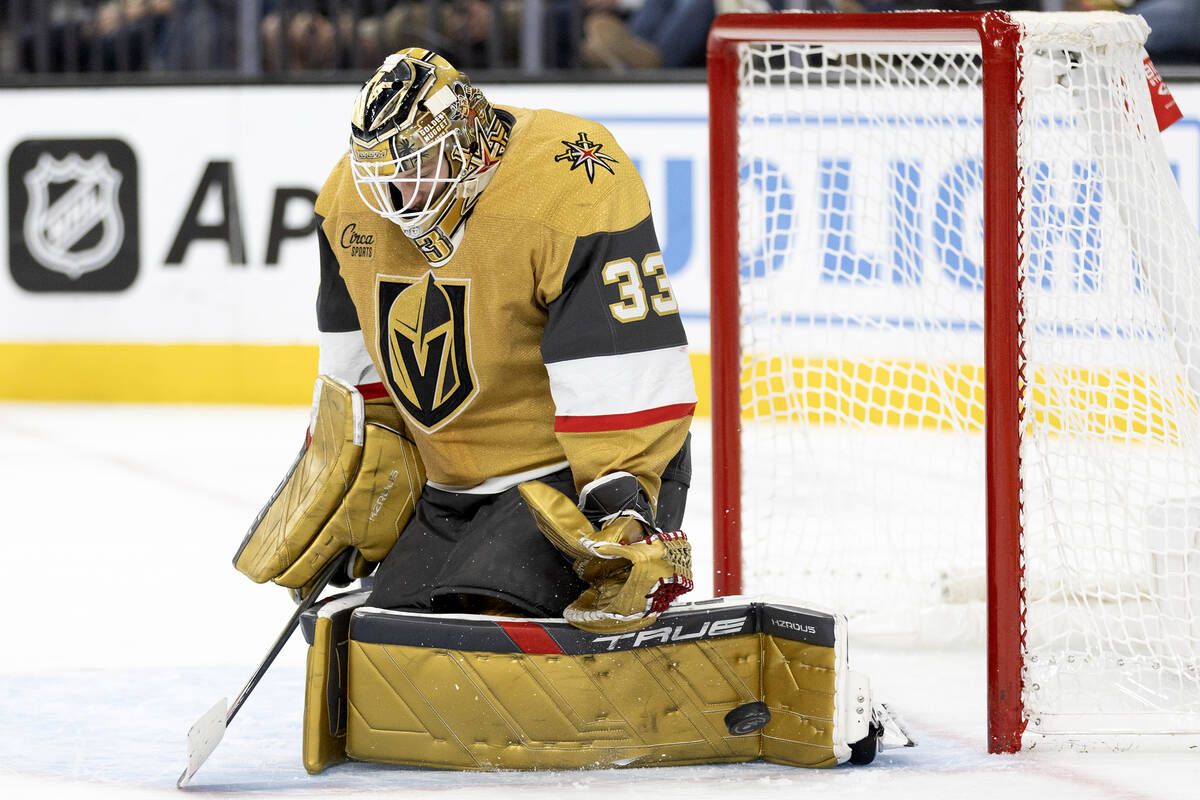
pixel 73 215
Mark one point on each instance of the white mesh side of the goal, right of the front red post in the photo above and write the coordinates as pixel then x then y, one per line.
pixel 1112 448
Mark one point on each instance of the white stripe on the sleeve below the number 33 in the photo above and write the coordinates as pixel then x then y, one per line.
pixel 622 384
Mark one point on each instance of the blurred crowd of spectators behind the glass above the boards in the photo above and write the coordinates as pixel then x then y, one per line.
pixel 302 37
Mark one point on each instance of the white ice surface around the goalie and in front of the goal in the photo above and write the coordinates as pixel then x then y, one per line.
pixel 127 622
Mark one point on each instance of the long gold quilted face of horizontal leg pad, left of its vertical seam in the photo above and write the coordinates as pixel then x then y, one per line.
pixel 481 712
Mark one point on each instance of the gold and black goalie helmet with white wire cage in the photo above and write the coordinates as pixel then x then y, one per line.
pixel 423 142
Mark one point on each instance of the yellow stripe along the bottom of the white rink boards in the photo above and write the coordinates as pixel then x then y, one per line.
pixel 1108 404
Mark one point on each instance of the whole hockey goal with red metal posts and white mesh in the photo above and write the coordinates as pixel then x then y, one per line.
pixel 956 308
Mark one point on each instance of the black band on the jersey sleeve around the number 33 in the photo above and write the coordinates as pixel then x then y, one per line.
pixel 583 323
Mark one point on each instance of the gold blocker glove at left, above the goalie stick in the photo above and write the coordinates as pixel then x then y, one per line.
pixel 355 485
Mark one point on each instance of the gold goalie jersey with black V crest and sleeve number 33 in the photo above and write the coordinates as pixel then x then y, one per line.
pixel 550 336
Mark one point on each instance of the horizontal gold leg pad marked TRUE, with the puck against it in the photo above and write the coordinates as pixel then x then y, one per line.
pixel 638 703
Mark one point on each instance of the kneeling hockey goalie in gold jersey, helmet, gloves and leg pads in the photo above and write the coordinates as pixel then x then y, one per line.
pixel 499 449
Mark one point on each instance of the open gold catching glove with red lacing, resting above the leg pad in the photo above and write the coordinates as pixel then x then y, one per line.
pixel 633 570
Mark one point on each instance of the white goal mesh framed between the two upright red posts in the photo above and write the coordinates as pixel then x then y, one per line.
pixel 862 328
